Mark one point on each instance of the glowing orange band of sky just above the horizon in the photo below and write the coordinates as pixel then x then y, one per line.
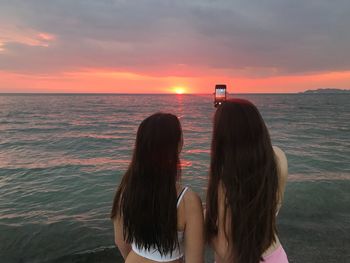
pixel 127 82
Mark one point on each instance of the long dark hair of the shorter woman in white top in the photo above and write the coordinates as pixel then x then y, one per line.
pixel 146 197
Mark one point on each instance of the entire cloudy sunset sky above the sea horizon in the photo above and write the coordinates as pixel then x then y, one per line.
pixel 161 46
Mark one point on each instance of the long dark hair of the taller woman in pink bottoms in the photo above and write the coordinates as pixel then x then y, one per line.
pixel 242 161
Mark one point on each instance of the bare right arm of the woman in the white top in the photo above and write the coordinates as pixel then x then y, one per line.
pixel 194 228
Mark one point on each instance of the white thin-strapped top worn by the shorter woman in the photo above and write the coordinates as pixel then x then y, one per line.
pixel 154 254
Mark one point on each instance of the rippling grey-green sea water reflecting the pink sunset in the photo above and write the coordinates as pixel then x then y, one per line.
pixel 62 157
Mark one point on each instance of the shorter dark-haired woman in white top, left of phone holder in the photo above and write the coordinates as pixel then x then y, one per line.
pixel 155 218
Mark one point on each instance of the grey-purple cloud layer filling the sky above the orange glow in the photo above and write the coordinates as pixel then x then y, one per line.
pixel 274 37
